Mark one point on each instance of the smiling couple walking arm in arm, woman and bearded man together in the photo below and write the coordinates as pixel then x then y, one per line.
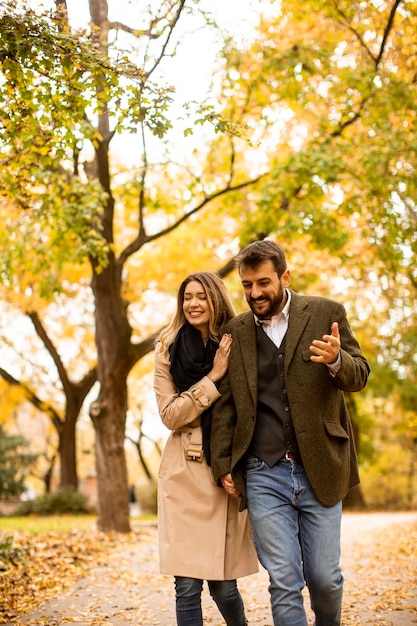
pixel 259 431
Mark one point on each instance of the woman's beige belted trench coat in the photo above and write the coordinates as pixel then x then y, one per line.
pixel 201 532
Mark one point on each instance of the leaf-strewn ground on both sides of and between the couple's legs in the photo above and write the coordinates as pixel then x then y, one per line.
pixel 121 583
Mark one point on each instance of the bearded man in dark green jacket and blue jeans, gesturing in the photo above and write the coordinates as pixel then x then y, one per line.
pixel 282 438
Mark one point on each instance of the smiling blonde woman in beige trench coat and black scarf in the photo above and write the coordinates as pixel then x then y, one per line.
pixel 202 535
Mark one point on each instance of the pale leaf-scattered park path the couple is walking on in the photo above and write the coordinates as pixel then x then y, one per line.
pixel 379 560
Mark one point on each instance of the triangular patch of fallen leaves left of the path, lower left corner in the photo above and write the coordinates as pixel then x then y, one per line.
pixel 35 568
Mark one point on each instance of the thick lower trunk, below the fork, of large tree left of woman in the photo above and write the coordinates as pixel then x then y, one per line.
pixel 108 412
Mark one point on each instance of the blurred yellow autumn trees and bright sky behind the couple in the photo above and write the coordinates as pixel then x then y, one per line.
pixel 304 132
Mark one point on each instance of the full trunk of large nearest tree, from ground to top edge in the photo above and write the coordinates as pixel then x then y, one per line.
pixel 113 335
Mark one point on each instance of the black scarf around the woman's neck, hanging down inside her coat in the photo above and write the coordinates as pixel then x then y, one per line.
pixel 190 361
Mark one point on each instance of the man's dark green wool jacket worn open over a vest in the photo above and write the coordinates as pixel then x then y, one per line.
pixel 322 424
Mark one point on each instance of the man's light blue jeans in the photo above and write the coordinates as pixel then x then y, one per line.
pixel 297 540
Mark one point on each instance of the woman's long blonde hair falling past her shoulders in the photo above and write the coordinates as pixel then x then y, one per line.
pixel 220 307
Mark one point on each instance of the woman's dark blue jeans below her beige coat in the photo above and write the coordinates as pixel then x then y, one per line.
pixel 224 592
